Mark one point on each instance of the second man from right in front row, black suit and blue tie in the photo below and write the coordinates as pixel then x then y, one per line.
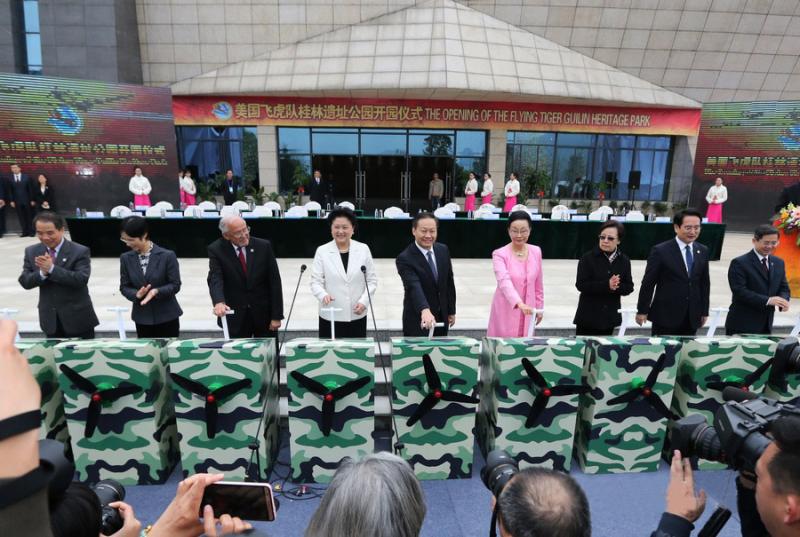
pixel 678 271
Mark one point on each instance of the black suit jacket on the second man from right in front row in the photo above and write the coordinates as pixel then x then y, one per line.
pixel 677 294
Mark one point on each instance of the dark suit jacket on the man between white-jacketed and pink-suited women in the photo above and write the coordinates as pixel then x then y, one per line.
pixel 422 291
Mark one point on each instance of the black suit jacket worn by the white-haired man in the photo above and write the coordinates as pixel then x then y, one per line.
pixel 260 290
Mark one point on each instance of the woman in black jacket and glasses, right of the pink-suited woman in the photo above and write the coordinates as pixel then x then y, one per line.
pixel 604 275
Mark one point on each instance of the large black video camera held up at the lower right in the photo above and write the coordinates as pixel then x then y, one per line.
pixel 738 436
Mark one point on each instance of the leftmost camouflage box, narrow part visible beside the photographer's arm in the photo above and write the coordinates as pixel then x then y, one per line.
pixel 41 358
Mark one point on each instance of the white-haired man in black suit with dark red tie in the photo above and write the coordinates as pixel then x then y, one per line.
pixel 243 276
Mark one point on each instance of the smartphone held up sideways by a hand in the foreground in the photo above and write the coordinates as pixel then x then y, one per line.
pixel 248 501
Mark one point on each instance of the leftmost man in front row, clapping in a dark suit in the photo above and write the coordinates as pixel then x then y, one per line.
pixel 60 269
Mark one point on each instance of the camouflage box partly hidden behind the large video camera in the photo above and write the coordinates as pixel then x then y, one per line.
pixel 707 365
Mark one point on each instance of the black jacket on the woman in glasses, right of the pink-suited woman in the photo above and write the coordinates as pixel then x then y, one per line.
pixel 598 304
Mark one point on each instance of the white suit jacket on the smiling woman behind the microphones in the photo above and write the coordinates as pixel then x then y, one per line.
pixel 329 278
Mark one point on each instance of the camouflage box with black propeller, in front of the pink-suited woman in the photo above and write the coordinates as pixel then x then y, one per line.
pixel 516 411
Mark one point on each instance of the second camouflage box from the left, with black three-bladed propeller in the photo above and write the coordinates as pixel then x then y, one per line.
pixel 119 411
